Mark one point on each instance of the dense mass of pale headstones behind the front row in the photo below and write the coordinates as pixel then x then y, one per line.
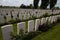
pixel 23 14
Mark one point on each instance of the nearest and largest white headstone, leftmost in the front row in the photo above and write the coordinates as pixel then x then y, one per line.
pixel 6 32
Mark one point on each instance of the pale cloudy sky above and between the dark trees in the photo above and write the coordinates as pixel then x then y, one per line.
pixel 19 2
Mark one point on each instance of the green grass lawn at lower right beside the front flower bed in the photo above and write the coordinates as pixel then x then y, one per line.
pixel 52 34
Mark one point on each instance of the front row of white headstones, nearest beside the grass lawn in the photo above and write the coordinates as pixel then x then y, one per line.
pixel 32 26
